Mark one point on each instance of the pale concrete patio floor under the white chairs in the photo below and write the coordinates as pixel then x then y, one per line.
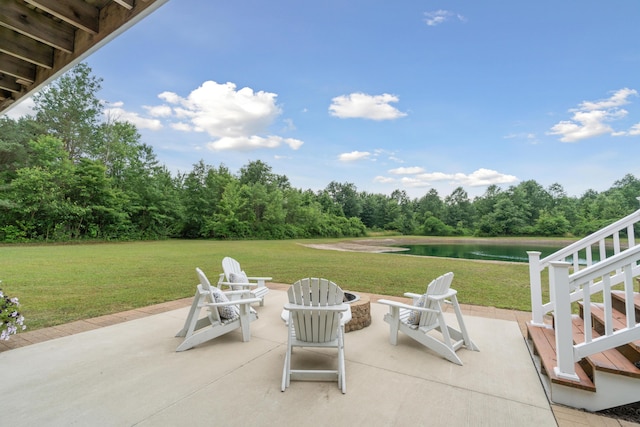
pixel 122 370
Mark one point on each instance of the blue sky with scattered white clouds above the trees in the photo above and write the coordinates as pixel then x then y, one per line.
pixel 408 95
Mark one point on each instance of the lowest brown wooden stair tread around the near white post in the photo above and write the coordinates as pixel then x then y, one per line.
pixel 544 345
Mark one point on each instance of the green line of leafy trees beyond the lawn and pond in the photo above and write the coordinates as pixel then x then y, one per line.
pixel 67 173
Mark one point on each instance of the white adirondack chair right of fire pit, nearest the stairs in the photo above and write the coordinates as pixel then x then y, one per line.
pixel 420 320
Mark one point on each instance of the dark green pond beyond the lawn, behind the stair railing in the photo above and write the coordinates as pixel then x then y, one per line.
pixel 495 252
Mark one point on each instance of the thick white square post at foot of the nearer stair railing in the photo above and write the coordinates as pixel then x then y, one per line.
pixel 559 288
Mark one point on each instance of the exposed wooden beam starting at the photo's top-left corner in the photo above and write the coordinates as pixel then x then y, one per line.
pixel 18 17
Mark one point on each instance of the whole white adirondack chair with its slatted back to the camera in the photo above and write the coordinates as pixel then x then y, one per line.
pixel 315 307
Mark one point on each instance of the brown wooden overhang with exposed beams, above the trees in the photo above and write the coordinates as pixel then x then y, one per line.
pixel 41 39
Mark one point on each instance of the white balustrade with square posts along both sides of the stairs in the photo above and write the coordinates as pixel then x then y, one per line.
pixel 579 280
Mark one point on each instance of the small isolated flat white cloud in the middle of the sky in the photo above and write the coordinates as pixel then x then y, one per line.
pixel 360 105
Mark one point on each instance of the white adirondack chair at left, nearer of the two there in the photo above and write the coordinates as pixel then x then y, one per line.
pixel 226 312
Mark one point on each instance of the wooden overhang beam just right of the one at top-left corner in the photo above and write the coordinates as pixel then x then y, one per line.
pixel 78 13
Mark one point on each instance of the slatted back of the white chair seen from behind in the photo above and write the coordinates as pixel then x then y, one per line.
pixel 310 325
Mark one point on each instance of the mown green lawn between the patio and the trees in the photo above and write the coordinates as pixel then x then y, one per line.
pixel 62 283
